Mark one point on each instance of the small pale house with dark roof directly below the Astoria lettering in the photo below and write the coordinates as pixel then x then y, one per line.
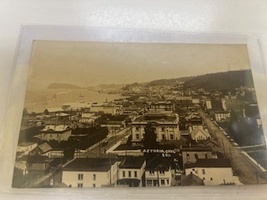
pixel 158 172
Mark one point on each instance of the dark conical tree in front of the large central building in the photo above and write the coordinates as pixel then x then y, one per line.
pixel 150 136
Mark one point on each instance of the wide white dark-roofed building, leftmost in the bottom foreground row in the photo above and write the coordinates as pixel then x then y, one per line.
pixel 90 172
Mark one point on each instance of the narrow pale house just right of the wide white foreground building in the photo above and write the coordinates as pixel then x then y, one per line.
pixel 132 171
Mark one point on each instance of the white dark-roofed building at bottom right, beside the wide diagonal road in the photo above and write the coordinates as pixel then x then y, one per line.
pixel 213 171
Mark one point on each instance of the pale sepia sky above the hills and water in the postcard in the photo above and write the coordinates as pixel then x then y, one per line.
pixel 92 63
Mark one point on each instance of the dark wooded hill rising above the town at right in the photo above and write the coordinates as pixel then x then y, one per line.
pixel 221 80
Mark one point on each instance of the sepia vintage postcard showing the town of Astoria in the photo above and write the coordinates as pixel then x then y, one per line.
pixel 101 114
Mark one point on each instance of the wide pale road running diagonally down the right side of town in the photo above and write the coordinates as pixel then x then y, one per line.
pixel 247 171
